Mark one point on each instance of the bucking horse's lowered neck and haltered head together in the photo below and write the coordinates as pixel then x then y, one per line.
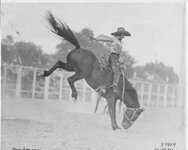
pixel 131 101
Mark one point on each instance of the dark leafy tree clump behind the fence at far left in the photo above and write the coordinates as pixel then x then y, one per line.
pixel 24 53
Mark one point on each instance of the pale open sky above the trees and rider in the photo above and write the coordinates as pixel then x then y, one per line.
pixel 157 29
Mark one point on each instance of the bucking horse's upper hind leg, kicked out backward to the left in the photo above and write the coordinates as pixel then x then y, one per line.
pixel 59 64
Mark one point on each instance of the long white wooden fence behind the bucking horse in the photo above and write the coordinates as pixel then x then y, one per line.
pixel 23 82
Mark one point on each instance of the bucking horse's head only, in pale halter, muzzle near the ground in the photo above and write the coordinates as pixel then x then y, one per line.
pixel 130 115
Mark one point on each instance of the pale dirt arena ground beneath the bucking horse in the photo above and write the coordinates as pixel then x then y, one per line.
pixel 58 125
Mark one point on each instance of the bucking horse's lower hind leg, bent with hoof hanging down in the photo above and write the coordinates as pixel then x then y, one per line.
pixel 77 76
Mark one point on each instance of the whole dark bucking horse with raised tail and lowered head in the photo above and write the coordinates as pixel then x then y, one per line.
pixel 86 65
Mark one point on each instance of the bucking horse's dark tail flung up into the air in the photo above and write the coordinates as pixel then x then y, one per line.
pixel 61 29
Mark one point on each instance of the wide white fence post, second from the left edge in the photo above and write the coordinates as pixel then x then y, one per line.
pixel 18 82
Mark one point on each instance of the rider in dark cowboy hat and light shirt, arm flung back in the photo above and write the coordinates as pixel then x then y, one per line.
pixel 115 49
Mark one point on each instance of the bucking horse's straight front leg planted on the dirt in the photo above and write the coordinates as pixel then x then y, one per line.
pixel 112 111
